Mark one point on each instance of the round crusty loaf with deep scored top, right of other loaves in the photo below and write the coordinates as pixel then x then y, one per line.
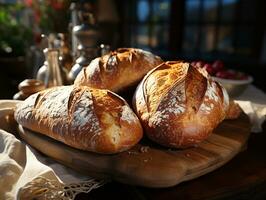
pixel 178 105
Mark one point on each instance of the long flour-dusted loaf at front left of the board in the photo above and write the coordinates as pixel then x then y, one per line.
pixel 85 118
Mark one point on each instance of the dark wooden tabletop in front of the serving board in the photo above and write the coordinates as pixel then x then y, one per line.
pixel 244 177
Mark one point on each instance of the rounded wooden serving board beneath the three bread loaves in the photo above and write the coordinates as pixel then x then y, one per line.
pixel 148 164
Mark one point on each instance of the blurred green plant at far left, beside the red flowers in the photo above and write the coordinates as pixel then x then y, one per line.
pixel 14 35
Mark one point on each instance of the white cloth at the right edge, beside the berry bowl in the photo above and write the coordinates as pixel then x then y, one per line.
pixel 253 103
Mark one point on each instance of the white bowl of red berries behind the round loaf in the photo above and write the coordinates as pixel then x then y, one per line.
pixel 235 82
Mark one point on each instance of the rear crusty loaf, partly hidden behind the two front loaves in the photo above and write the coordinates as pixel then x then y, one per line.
pixel 118 70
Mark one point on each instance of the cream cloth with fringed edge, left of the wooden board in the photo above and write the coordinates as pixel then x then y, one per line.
pixel 27 174
